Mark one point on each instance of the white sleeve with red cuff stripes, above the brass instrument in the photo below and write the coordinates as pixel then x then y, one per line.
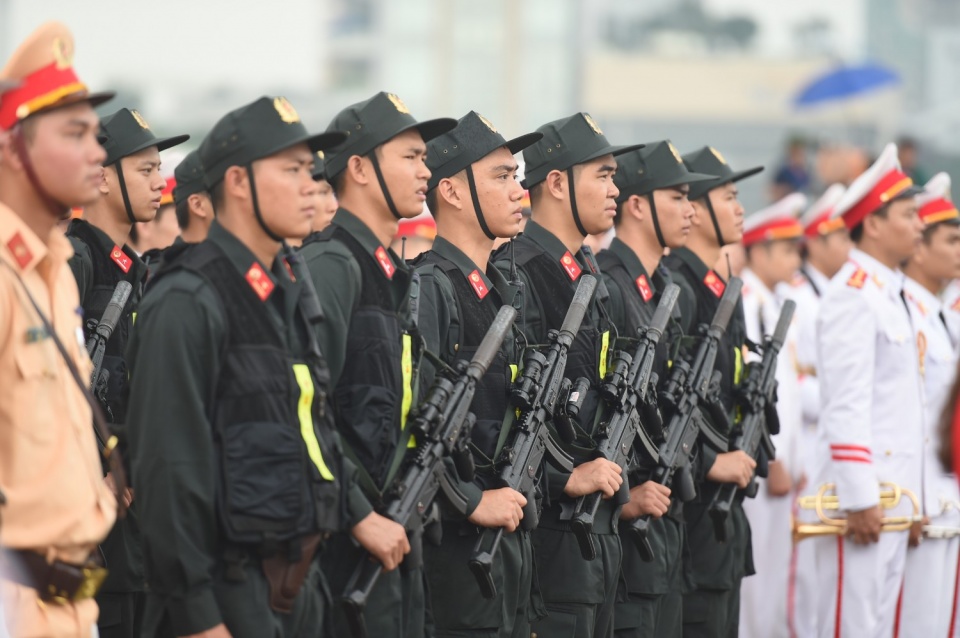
pixel 847 330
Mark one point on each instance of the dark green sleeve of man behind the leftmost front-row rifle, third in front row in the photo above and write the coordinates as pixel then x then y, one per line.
pixel 434 322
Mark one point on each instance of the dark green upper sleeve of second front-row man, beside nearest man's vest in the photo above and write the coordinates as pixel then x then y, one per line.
pixel 337 280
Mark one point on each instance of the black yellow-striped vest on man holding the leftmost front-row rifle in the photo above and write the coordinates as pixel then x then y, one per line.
pixel 375 390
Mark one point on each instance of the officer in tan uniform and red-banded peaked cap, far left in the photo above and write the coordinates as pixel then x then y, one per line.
pixel 58 506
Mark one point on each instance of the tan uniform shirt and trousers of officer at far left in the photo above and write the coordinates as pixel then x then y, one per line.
pixel 57 502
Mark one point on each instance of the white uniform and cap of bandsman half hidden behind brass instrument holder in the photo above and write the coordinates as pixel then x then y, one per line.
pixel 806 290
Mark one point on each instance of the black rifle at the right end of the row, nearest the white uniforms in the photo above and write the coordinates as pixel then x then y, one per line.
pixel 758 405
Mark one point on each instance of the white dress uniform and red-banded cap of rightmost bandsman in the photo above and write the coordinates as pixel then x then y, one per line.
pixel 929 600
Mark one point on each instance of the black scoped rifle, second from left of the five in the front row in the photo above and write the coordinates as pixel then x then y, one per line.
pixel 537 393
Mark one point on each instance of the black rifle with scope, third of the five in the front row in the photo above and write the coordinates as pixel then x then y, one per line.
pixel 626 391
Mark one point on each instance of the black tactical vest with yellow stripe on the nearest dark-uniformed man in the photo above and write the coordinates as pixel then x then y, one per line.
pixel 273 440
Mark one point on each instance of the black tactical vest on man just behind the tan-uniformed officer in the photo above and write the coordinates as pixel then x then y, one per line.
pixel 106 276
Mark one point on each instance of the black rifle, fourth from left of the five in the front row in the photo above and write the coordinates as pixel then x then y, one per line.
pixel 690 391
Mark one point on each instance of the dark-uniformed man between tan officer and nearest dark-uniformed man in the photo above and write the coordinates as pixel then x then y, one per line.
pixel 130 192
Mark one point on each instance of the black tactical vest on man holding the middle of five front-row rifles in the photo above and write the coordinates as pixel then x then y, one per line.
pixel 553 291
